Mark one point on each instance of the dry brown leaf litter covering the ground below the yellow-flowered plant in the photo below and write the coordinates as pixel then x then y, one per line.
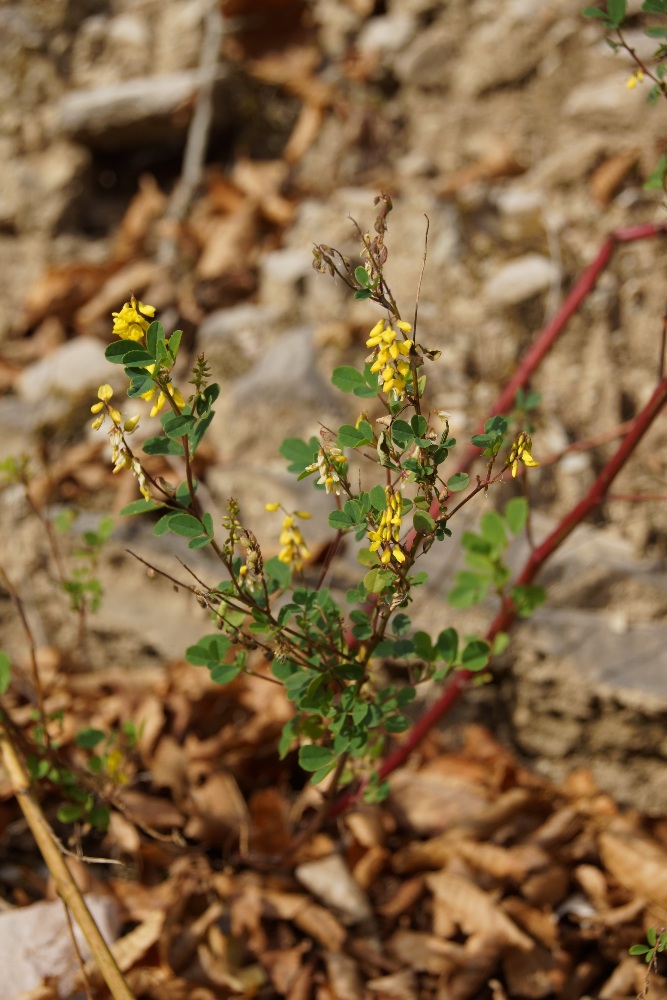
pixel 475 879
